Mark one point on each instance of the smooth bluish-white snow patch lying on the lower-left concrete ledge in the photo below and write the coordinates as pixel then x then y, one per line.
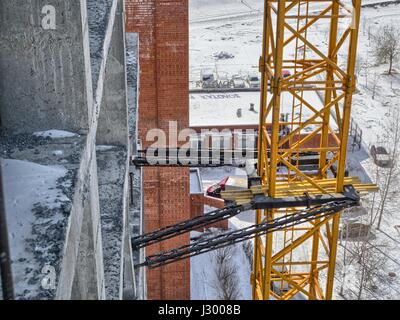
pixel 25 184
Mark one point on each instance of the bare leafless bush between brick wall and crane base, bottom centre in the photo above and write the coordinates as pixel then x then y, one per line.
pixel 227 284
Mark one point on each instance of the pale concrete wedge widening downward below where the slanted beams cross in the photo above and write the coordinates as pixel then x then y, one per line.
pixel 84 237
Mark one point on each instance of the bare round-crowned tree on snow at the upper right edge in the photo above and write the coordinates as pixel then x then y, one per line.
pixel 387 45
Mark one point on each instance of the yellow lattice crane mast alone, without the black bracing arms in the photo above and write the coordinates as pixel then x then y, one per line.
pixel 316 40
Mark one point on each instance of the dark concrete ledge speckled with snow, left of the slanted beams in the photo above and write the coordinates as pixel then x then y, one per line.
pixel 41 241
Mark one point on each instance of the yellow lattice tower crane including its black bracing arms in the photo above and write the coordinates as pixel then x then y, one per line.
pixel 308 79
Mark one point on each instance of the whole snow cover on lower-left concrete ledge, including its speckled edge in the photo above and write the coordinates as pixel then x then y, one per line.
pixel 33 205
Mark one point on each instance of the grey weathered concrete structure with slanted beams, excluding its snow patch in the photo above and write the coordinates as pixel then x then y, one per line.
pixel 91 247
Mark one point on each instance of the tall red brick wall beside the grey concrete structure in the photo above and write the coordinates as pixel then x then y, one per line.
pixel 164 96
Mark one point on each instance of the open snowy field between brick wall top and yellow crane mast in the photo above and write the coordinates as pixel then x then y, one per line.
pixel 237 34
